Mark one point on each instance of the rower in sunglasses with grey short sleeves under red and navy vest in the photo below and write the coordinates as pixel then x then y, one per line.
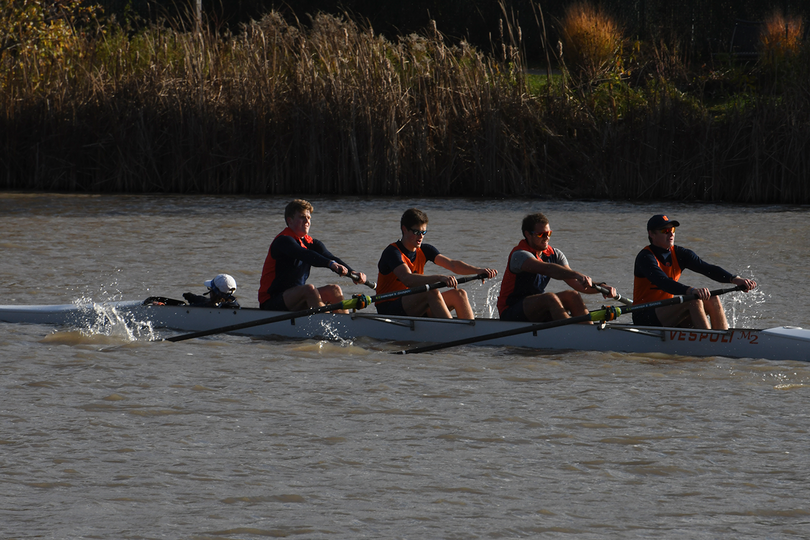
pixel 530 267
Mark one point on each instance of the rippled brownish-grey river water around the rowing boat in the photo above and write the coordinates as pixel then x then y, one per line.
pixel 109 437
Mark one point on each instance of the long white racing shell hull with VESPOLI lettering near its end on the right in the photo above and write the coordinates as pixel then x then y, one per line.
pixel 780 343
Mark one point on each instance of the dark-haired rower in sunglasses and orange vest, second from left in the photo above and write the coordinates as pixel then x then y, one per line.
pixel 402 266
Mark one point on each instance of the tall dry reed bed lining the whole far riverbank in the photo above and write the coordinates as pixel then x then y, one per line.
pixel 333 108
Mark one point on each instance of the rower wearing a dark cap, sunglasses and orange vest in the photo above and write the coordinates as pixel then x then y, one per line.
pixel 657 273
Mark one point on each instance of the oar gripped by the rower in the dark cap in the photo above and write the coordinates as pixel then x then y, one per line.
pixel 604 314
